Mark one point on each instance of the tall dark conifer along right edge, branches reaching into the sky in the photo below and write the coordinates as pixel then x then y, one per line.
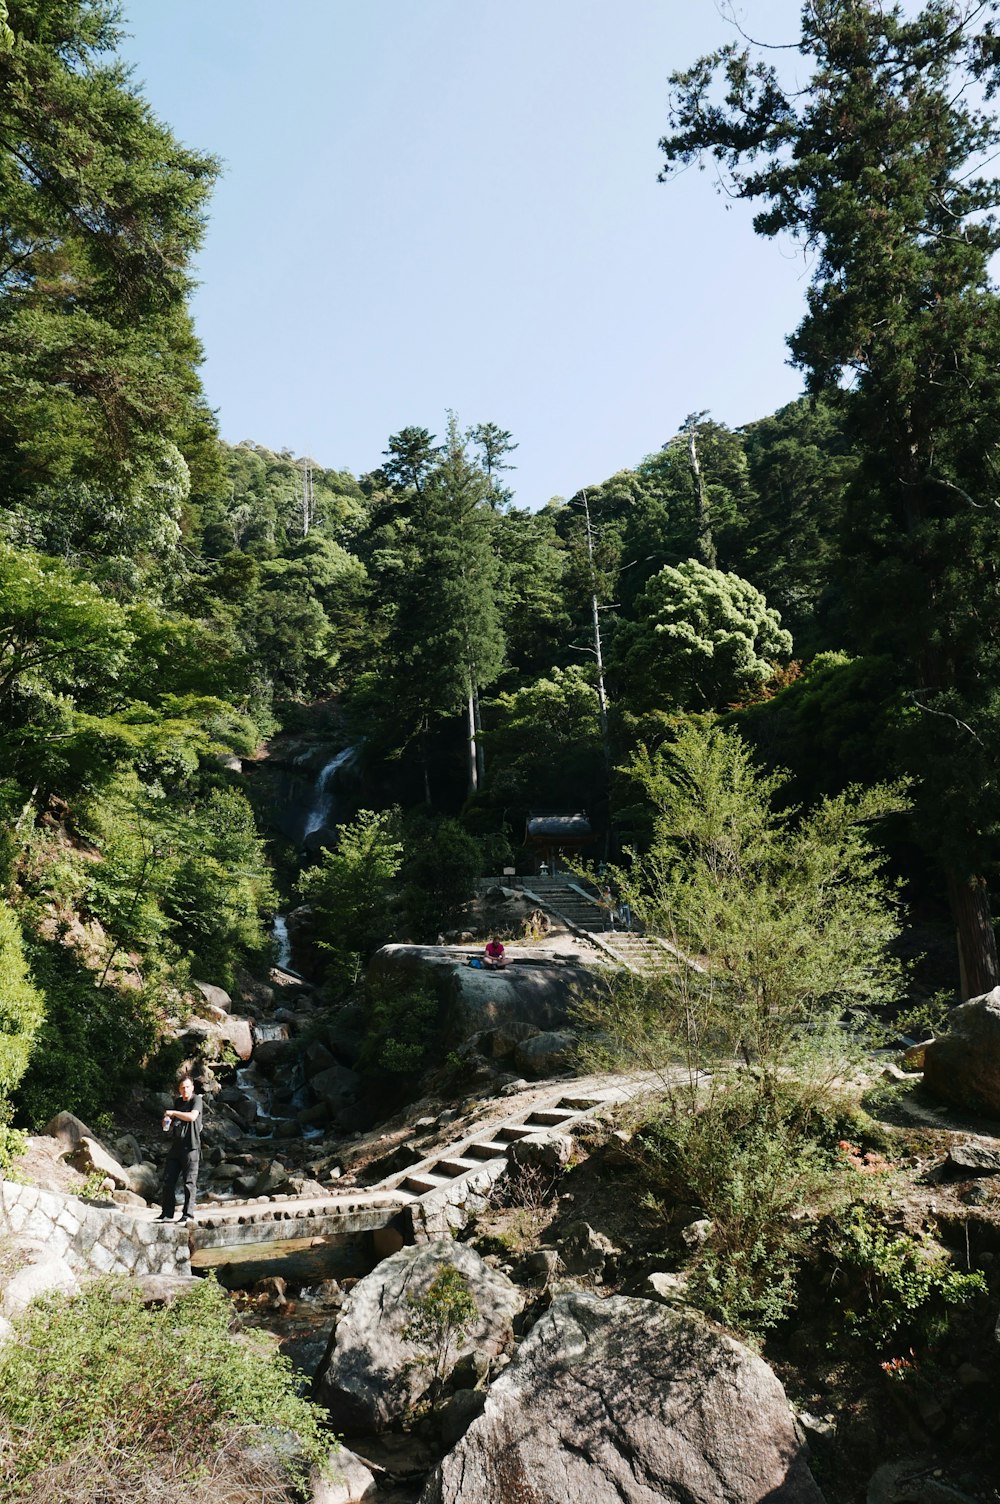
pixel 879 166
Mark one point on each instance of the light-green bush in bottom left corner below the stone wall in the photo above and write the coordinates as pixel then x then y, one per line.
pixel 153 1389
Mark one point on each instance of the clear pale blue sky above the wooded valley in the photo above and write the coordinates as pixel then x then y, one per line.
pixel 455 204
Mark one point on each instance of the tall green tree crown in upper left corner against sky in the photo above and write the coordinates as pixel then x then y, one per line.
pixel 102 213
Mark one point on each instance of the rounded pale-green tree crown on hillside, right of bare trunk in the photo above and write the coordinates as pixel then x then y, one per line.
pixel 702 640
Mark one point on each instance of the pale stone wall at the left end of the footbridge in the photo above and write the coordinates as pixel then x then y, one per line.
pixel 92 1240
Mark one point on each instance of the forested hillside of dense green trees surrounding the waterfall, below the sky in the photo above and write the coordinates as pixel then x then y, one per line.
pixel 820 580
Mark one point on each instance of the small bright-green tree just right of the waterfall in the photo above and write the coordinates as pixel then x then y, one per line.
pixel 350 891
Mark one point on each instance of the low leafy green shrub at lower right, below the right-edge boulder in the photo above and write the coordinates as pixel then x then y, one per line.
pixel 889 1285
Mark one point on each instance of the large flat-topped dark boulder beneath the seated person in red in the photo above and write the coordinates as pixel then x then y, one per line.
pixel 532 990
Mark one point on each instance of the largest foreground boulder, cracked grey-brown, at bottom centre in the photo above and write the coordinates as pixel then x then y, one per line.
pixel 628 1402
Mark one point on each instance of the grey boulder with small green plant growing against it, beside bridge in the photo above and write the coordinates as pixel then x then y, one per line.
pixel 374 1375
